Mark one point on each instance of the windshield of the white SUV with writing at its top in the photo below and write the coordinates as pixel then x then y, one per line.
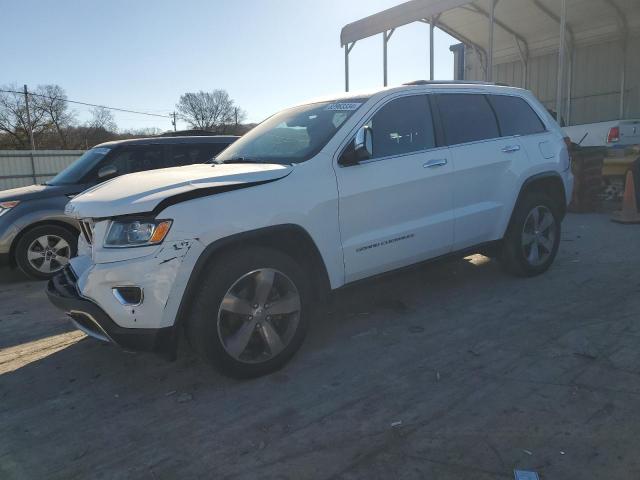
pixel 293 135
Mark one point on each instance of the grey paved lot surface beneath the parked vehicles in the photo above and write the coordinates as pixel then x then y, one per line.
pixel 486 373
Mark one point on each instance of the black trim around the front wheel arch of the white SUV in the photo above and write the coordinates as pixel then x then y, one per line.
pixel 290 239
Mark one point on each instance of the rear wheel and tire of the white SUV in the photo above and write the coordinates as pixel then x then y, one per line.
pixel 533 236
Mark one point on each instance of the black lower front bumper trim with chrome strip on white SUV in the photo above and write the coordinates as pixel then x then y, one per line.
pixel 91 319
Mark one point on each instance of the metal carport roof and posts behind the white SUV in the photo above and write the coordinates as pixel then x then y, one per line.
pixel 499 29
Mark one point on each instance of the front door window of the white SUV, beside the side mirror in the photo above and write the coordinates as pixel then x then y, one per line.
pixel 402 126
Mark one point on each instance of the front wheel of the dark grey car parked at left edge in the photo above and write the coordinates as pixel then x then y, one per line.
pixel 43 251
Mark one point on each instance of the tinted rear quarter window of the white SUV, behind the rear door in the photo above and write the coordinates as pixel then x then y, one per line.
pixel 515 116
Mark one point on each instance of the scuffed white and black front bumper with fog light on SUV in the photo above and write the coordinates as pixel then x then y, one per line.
pixel 97 292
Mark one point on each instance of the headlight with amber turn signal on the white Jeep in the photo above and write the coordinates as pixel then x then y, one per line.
pixel 136 233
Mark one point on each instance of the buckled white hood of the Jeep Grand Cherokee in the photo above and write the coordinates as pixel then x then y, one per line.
pixel 147 191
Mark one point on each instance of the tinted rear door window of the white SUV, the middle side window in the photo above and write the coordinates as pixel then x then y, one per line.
pixel 466 118
